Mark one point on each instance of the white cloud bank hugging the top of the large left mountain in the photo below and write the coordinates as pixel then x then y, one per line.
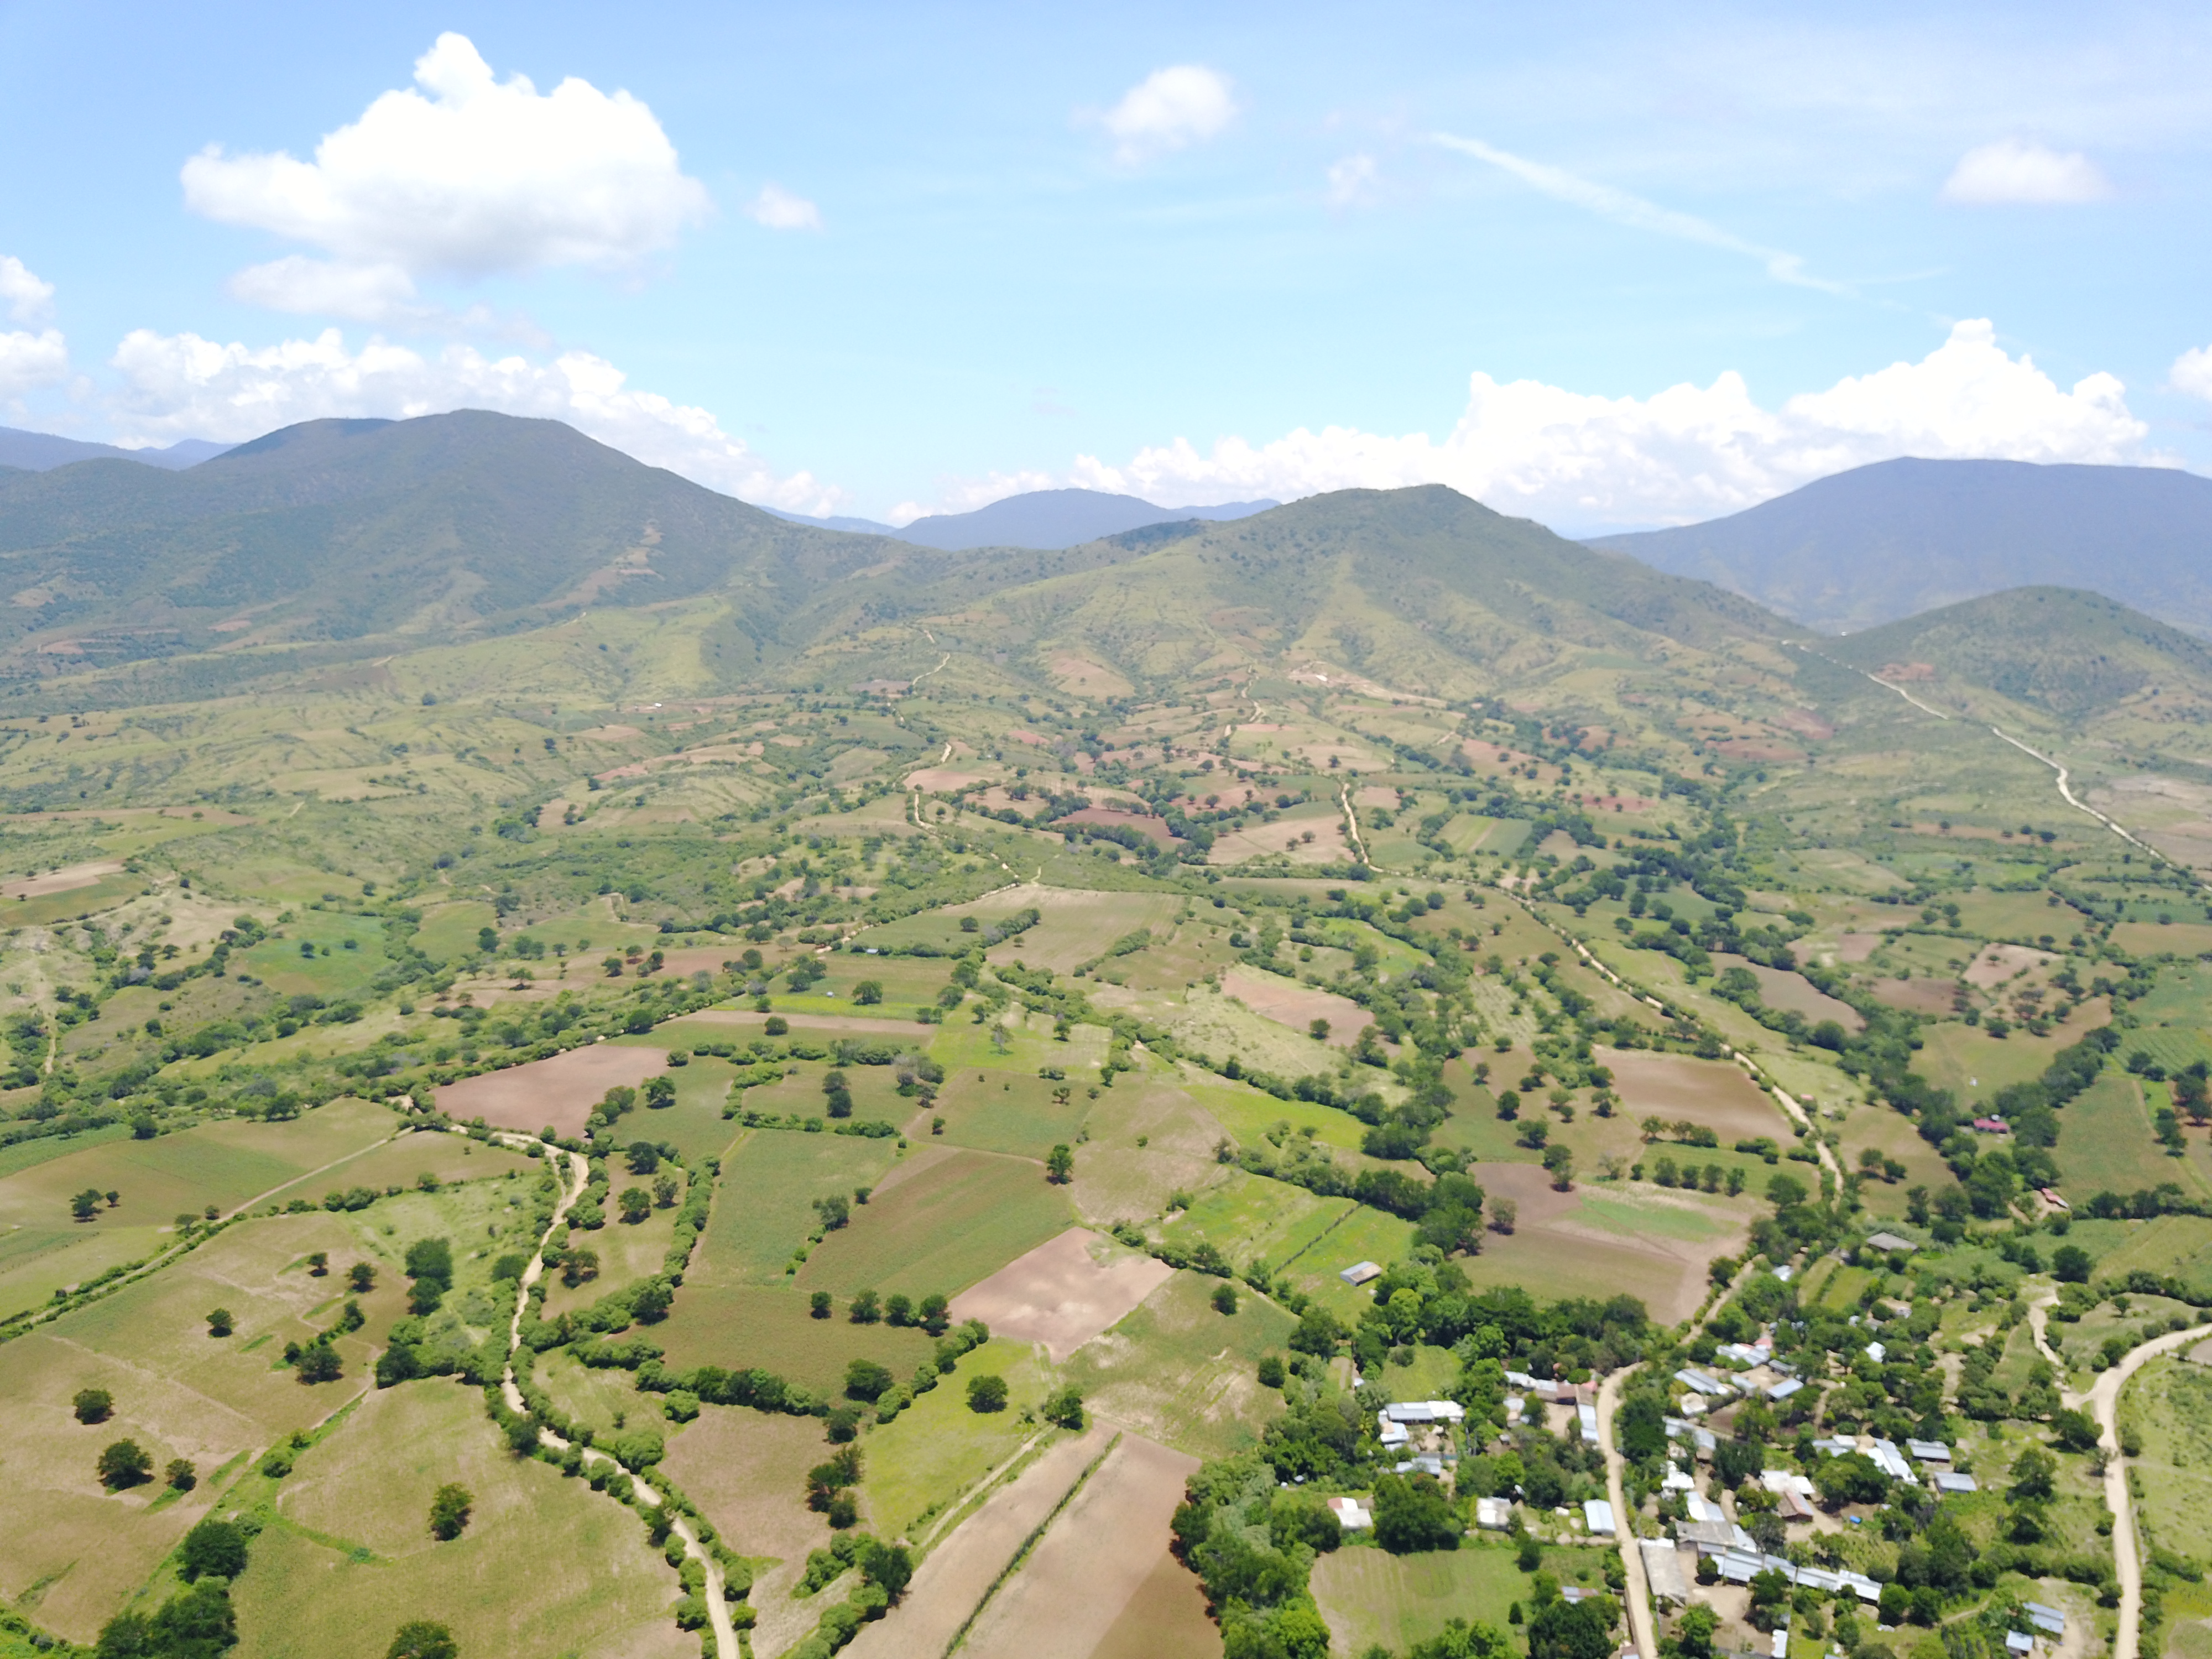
pixel 182 386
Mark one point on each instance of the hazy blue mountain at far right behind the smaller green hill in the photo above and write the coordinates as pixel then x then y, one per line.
pixel 1910 536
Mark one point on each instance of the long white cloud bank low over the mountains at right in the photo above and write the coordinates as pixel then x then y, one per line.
pixel 1678 457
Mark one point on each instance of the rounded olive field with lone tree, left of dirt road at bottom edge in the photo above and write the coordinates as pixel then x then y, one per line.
pixel 353 1558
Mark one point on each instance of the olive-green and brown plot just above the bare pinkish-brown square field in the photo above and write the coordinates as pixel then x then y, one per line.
pixel 950 1220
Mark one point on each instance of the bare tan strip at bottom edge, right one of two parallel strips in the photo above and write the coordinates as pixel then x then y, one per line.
pixel 1092 1563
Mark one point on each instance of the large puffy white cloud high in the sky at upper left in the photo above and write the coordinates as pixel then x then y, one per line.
pixel 468 176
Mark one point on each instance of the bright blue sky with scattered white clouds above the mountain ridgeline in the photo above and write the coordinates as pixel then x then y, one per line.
pixel 1585 262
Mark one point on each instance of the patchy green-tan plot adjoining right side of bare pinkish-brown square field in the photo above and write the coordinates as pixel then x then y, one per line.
pixel 1180 1373
